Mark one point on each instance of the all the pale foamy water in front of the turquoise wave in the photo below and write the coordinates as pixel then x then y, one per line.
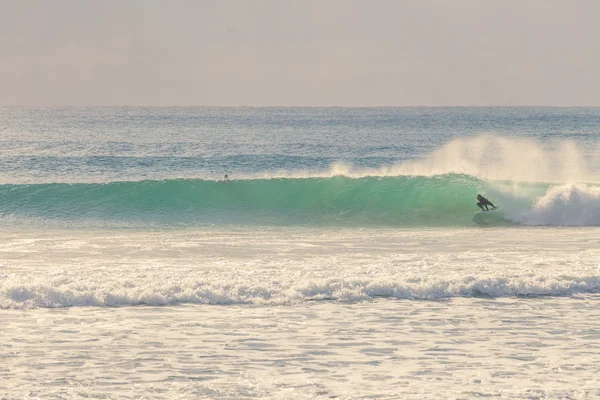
pixel 300 313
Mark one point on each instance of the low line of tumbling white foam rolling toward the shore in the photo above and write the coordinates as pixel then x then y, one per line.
pixel 17 293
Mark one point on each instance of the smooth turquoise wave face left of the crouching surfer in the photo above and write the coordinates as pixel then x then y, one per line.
pixel 444 200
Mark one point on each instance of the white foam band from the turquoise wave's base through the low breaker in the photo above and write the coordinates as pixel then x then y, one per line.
pixel 284 267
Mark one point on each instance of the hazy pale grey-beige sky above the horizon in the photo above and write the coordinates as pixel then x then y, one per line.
pixel 305 52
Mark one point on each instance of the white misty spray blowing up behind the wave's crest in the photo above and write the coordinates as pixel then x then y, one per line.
pixel 491 157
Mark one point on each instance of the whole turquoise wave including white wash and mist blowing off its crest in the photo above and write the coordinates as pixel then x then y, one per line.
pixel 534 183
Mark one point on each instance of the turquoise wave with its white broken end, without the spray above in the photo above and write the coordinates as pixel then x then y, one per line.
pixel 438 200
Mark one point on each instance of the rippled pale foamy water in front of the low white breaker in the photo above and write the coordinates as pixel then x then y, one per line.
pixel 463 348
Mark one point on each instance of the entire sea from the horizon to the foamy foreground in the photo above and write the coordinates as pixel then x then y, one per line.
pixel 340 259
